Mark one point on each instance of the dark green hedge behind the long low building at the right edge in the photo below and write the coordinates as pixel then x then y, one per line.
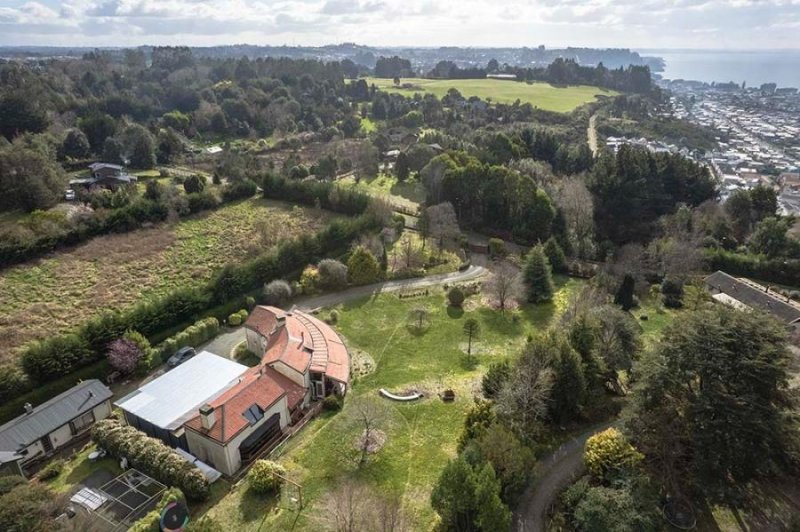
pixel 772 270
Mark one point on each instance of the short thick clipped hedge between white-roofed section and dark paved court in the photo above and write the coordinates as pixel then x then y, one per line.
pixel 151 456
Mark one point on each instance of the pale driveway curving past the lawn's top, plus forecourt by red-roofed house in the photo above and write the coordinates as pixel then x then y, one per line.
pixel 224 343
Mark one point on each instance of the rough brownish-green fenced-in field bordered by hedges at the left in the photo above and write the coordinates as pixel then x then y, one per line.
pixel 58 292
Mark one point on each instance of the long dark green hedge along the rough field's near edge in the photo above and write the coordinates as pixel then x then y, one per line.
pixel 60 355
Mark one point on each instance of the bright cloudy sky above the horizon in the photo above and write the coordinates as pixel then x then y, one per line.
pixel 738 24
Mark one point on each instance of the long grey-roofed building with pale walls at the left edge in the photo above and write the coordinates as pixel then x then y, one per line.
pixel 42 430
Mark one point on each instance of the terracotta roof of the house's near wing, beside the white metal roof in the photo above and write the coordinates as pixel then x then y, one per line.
pixel 262 386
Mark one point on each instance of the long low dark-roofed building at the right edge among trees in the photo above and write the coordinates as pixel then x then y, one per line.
pixel 745 294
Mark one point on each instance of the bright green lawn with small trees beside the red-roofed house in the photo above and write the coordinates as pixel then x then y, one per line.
pixel 421 436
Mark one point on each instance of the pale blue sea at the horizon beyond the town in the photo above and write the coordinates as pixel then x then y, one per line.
pixel 753 67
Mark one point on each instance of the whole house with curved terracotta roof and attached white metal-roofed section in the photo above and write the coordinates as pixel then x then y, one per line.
pixel 226 414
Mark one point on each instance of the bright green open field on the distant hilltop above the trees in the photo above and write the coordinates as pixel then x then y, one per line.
pixel 541 95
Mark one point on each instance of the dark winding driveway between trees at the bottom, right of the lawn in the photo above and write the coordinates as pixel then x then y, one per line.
pixel 553 474
